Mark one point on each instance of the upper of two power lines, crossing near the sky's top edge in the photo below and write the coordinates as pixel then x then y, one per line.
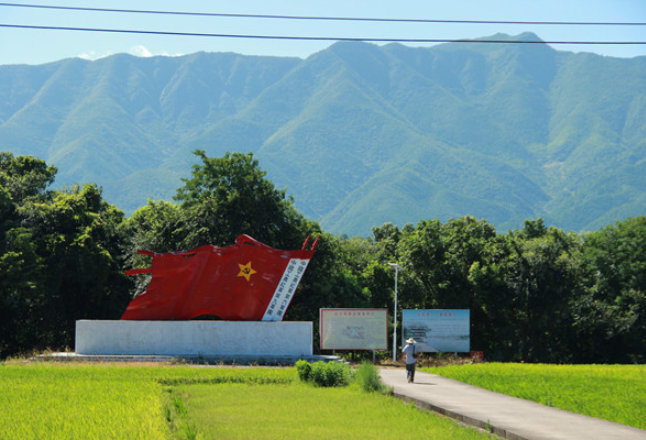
pixel 322 18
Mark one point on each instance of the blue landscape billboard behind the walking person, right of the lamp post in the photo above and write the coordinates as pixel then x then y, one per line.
pixel 438 330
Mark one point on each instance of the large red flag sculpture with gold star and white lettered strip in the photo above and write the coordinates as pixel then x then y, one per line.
pixel 247 281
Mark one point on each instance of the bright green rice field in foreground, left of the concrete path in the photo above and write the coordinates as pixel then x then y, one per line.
pixel 114 401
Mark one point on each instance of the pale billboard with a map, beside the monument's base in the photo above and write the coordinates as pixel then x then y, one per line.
pixel 354 329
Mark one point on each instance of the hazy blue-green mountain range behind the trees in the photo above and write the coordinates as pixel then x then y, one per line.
pixel 359 134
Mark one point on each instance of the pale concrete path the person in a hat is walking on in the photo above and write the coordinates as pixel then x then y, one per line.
pixel 508 417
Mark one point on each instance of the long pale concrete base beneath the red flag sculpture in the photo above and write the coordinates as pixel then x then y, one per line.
pixel 224 340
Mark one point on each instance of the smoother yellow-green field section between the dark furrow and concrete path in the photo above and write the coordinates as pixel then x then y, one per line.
pixel 298 411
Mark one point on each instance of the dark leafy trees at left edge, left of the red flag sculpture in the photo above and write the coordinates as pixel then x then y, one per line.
pixel 59 257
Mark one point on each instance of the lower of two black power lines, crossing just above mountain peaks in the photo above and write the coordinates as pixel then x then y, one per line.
pixel 308 38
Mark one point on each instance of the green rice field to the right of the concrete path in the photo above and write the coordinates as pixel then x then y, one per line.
pixel 611 392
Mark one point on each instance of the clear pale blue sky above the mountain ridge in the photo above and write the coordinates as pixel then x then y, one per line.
pixel 31 46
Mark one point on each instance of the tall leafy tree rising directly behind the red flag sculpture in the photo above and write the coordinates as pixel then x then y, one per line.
pixel 229 196
